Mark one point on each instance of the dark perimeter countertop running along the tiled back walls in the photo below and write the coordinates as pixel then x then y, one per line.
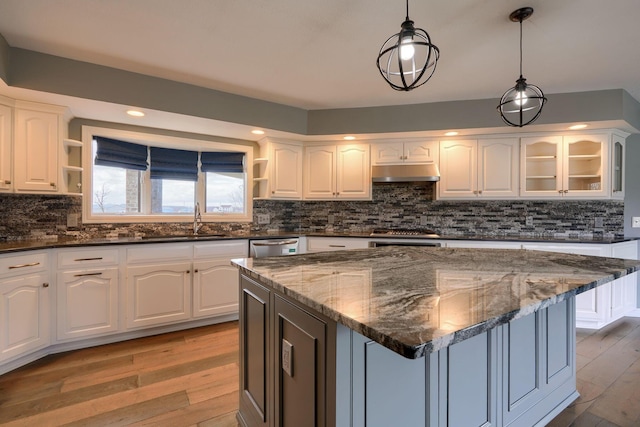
pixel 26 245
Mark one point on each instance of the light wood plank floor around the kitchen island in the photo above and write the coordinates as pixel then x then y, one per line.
pixel 190 378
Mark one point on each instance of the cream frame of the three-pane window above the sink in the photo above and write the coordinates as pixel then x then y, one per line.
pixel 163 141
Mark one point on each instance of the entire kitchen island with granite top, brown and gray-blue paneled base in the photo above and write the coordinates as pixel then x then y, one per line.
pixel 412 336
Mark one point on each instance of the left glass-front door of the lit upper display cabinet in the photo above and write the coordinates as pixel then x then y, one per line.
pixel 541 167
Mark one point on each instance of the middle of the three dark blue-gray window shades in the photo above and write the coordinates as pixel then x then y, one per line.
pixel 167 163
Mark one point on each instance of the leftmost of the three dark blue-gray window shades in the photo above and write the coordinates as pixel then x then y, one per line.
pixel 111 152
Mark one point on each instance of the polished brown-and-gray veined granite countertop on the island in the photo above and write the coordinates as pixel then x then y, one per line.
pixel 417 300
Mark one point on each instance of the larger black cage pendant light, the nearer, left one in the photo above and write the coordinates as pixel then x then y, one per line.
pixel 408 59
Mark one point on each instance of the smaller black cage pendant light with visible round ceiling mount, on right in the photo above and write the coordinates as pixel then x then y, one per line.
pixel 522 104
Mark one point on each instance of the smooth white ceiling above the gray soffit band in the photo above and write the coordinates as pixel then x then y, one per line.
pixel 321 54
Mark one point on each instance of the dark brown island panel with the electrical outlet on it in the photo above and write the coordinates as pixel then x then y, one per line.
pixel 300 361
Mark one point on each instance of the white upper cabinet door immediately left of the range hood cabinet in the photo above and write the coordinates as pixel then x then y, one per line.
pixel 353 171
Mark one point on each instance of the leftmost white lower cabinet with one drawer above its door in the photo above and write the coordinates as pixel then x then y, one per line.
pixel 24 304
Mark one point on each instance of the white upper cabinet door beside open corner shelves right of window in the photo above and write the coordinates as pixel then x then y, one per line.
pixel 285 164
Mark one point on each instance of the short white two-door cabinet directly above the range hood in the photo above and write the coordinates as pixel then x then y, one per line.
pixel 404 152
